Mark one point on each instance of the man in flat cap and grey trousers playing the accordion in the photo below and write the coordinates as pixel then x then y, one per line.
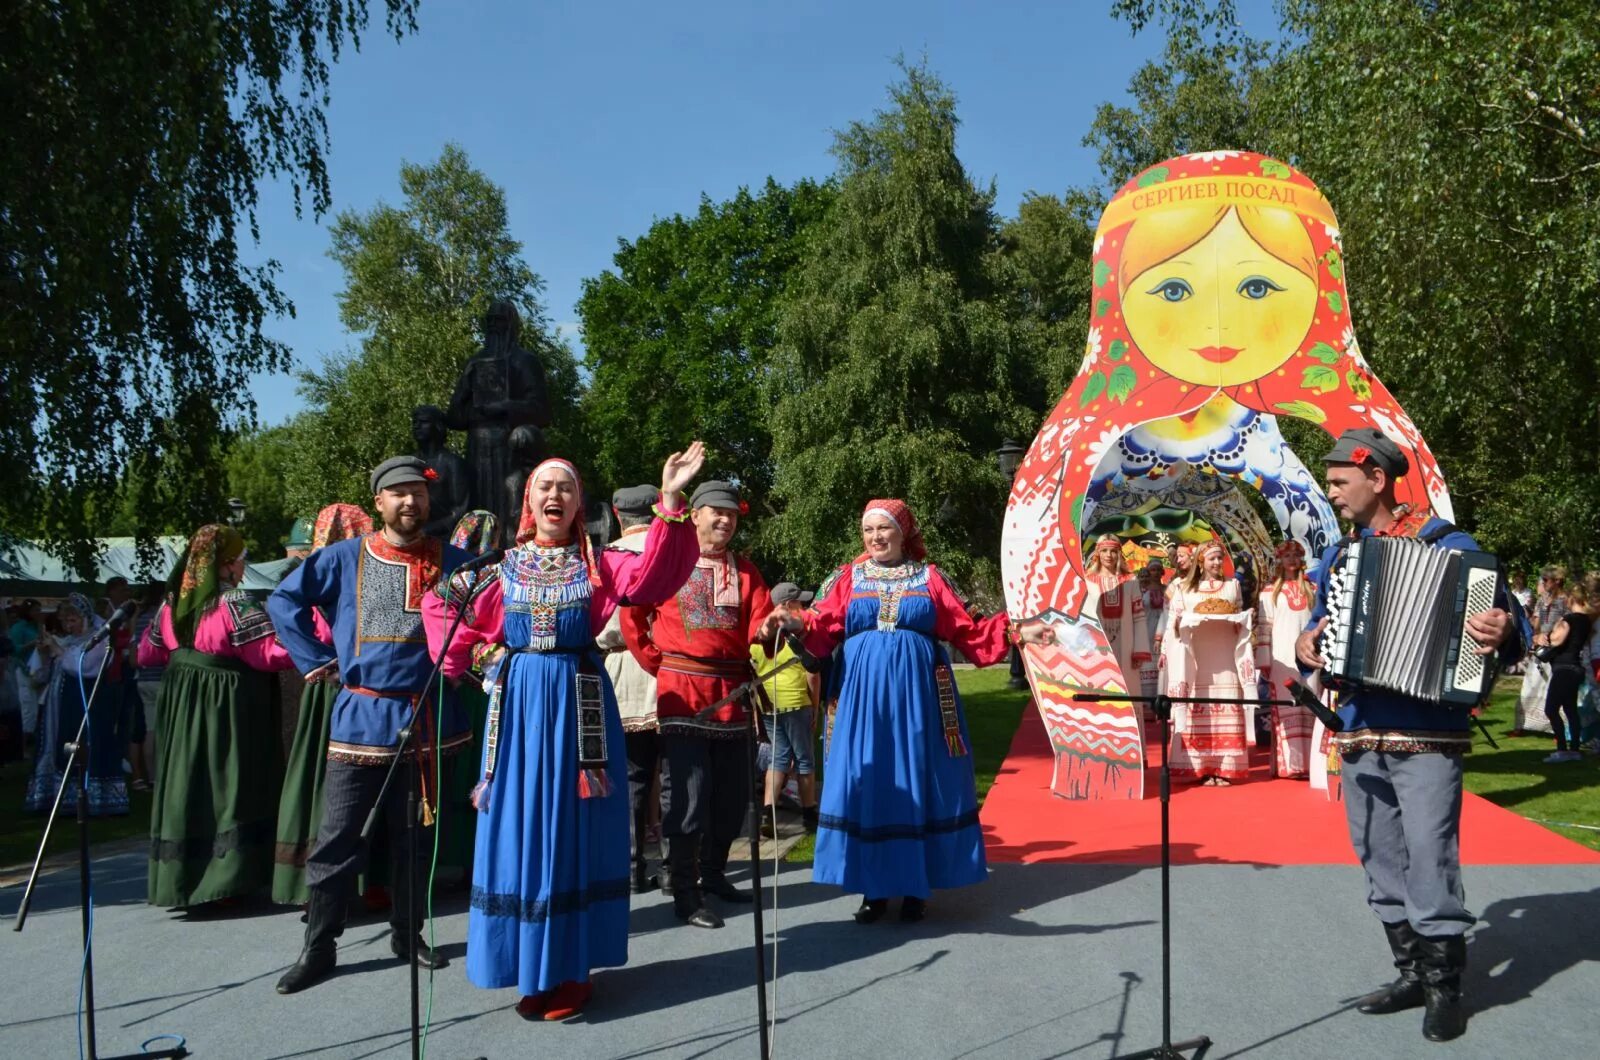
pixel 1402 757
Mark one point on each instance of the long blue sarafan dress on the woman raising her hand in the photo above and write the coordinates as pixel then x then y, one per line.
pixel 551 869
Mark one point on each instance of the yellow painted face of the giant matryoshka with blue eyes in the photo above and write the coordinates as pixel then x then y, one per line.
pixel 1225 310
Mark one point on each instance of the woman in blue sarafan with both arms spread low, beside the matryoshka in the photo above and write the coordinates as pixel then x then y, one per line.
pixel 900 808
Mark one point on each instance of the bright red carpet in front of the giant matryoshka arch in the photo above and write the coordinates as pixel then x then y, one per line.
pixel 1262 822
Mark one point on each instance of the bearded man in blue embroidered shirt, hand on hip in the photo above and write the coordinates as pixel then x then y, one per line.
pixel 370 593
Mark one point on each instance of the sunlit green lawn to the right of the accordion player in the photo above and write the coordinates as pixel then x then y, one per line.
pixel 1518 779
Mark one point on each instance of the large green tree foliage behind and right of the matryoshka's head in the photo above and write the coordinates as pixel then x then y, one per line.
pixel 1462 148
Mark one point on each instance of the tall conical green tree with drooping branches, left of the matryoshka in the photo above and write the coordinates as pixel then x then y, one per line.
pixel 898 367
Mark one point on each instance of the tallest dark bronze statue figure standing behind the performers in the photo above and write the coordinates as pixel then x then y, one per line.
pixel 502 390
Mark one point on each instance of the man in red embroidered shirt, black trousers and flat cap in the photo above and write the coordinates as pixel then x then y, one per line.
pixel 698 648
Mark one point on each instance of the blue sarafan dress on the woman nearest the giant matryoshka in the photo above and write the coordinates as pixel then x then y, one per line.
pixel 898 811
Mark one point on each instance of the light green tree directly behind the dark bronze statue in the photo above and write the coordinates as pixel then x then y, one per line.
pixel 418 281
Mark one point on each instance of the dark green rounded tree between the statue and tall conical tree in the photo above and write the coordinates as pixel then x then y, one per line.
pixel 678 337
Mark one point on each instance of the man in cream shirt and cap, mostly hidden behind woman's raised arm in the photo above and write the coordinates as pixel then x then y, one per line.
pixel 636 688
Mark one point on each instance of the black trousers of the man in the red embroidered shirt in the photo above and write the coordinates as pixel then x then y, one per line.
pixel 705 793
